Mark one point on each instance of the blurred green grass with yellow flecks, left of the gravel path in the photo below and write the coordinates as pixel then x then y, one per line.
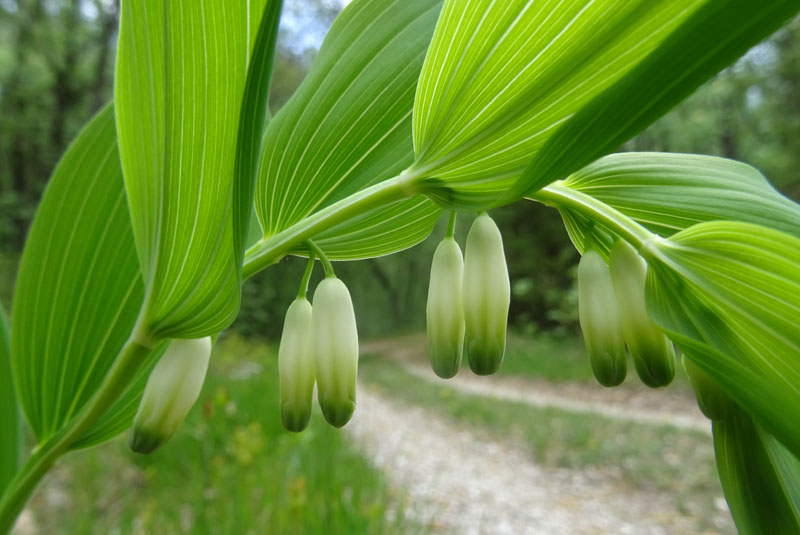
pixel 230 469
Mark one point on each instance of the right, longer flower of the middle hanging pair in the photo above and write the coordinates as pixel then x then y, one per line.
pixel 486 293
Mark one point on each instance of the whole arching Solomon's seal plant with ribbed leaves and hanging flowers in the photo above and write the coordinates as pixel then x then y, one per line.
pixel 140 239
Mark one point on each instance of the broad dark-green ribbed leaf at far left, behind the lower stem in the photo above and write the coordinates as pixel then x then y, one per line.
pixel 79 288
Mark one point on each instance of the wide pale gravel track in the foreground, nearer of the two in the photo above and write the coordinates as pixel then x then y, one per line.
pixel 459 481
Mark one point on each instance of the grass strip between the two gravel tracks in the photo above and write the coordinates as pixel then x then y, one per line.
pixel 659 458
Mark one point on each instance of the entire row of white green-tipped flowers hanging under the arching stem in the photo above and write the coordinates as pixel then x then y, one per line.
pixel 466 312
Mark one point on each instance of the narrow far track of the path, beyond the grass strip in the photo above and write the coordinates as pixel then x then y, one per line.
pixel 642 405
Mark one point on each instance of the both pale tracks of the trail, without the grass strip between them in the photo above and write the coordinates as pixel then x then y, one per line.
pixel 466 482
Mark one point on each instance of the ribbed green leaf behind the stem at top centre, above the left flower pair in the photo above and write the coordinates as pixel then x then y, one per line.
pixel 347 127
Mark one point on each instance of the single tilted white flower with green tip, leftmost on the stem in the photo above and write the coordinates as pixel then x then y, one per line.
pixel 172 388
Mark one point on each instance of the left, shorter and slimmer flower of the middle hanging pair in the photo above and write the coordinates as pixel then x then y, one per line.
pixel 445 313
